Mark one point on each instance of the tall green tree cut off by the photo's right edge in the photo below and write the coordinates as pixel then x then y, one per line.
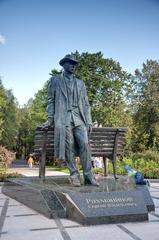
pixel 146 111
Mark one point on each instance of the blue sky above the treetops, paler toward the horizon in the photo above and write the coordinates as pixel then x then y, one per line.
pixel 36 34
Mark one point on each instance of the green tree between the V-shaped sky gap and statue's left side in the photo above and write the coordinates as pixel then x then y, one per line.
pixel 31 115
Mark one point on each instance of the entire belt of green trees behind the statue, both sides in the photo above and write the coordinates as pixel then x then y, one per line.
pixel 117 99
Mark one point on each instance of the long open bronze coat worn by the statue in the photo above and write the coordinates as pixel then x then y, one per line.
pixel 57 110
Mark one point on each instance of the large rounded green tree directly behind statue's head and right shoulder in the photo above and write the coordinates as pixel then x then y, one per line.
pixel 108 88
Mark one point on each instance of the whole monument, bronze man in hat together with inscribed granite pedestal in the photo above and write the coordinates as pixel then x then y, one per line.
pixel 84 200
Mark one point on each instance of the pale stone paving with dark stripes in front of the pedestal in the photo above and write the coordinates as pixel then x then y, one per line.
pixel 18 222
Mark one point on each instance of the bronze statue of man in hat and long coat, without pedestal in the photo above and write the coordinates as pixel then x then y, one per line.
pixel 69 111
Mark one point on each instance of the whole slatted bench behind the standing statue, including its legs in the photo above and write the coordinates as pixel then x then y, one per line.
pixel 105 142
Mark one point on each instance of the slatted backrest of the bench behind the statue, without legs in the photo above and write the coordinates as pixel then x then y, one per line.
pixel 104 142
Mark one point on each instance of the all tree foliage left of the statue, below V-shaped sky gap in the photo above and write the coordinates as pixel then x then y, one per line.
pixel 17 125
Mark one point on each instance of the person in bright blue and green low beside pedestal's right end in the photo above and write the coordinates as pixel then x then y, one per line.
pixel 138 177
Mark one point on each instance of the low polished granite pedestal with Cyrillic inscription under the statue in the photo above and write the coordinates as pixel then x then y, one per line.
pixel 114 201
